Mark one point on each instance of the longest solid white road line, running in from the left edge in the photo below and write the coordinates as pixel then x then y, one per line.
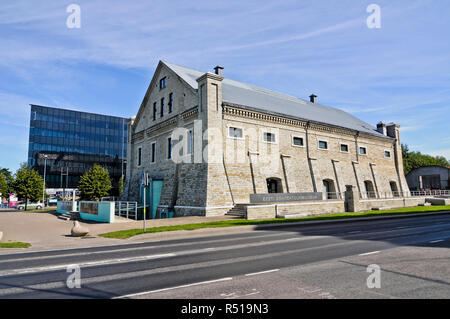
pixel 86 264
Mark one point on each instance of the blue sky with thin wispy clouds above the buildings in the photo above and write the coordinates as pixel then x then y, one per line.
pixel 398 73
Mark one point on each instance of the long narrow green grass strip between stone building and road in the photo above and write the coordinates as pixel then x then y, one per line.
pixel 123 234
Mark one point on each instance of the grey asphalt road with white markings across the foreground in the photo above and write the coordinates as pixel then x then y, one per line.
pixel 309 261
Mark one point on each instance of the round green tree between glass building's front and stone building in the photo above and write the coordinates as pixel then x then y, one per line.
pixel 95 183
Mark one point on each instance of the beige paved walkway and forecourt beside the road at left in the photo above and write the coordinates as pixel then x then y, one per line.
pixel 47 231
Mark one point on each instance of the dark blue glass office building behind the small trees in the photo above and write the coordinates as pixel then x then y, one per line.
pixel 70 142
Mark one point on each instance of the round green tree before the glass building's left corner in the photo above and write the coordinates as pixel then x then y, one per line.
pixel 28 184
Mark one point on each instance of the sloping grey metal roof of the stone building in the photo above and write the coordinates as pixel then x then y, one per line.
pixel 253 97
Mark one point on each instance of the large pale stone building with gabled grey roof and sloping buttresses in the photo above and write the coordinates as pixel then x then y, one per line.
pixel 214 141
